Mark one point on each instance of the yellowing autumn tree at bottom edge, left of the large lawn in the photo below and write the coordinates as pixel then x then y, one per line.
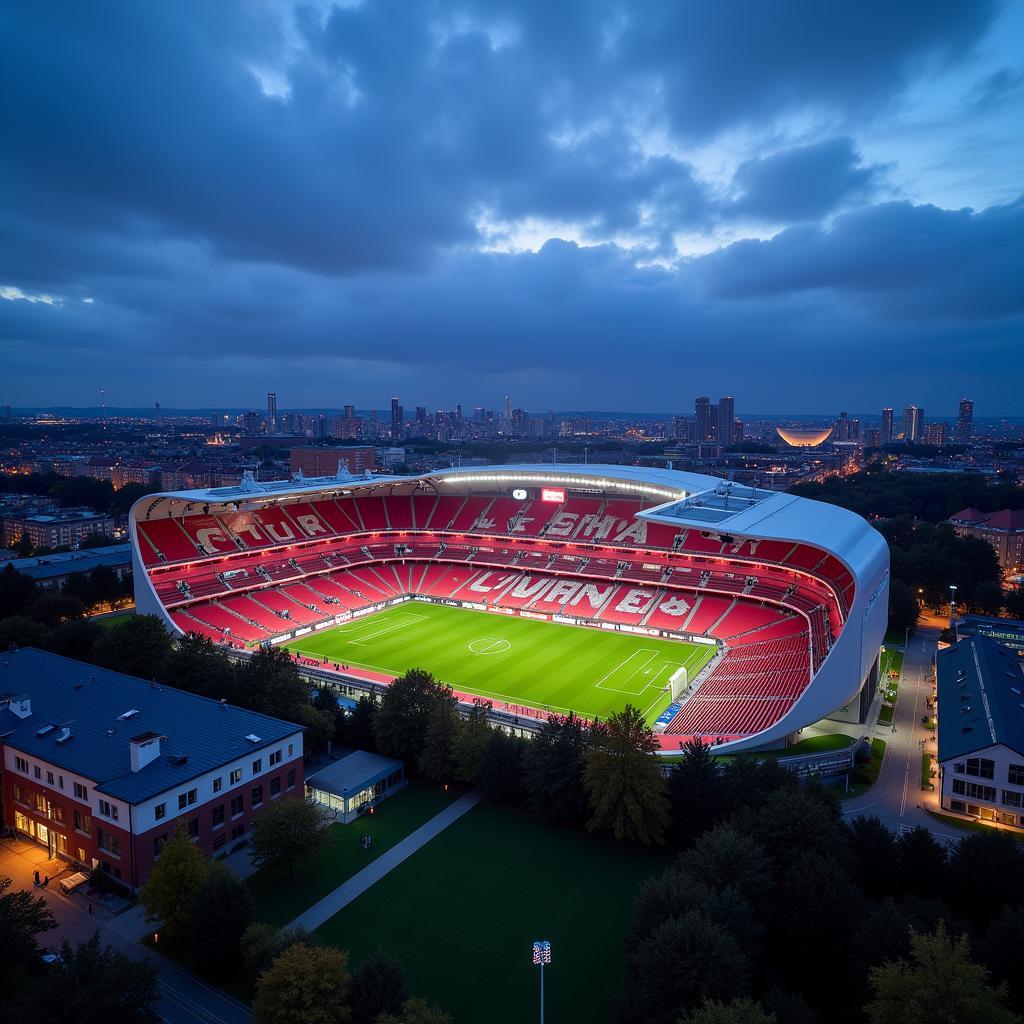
pixel 305 984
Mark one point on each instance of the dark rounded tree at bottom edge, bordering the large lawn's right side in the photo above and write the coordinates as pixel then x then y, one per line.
pixel 684 962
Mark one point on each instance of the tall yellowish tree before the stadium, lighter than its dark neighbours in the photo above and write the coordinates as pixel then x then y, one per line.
pixel 624 782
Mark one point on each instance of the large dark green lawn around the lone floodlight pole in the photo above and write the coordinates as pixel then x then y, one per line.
pixel 461 916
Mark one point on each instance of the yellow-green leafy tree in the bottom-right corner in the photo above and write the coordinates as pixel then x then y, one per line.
pixel 940 985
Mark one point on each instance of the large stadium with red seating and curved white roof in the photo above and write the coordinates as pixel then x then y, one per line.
pixel 721 612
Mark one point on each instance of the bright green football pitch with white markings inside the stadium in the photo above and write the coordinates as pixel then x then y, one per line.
pixel 526 662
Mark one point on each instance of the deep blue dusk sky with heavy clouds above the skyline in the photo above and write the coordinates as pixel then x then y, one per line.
pixel 586 204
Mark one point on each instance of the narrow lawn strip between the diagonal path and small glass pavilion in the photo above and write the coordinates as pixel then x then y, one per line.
pixel 279 902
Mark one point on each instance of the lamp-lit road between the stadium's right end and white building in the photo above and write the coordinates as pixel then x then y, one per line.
pixel 898 799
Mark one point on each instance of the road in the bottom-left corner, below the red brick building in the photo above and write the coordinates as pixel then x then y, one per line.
pixel 184 999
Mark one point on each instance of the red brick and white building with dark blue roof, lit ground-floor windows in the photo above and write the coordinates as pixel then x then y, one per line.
pixel 99 766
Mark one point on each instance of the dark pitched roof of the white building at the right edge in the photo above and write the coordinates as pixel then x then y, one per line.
pixel 982 698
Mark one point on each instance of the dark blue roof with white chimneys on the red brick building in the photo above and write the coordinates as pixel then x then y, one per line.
pixel 89 701
